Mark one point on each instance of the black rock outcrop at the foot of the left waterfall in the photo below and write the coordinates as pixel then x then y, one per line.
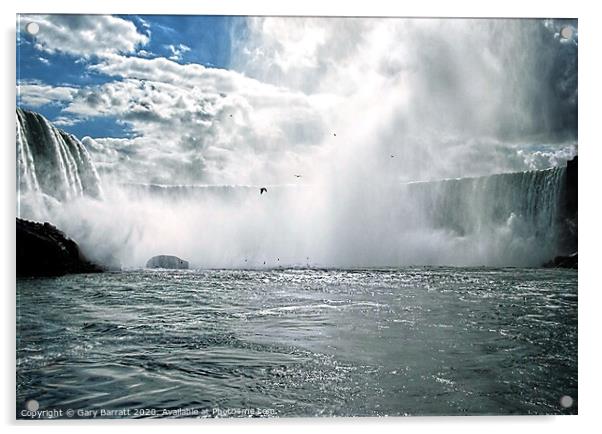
pixel 43 250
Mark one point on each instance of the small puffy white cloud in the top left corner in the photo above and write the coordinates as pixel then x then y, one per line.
pixel 85 35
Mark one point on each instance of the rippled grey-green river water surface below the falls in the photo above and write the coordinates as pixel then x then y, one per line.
pixel 299 342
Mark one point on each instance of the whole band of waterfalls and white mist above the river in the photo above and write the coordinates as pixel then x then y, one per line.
pixel 507 219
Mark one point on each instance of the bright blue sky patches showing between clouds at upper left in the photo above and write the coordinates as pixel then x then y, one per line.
pixel 204 40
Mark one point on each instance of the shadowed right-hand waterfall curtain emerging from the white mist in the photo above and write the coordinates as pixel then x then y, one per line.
pixel 503 219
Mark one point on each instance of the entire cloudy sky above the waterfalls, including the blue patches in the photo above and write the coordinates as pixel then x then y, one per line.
pixel 252 100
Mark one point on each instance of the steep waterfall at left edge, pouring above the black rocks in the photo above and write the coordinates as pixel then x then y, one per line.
pixel 51 164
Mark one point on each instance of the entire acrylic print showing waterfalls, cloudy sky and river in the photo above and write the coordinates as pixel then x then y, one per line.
pixel 231 216
